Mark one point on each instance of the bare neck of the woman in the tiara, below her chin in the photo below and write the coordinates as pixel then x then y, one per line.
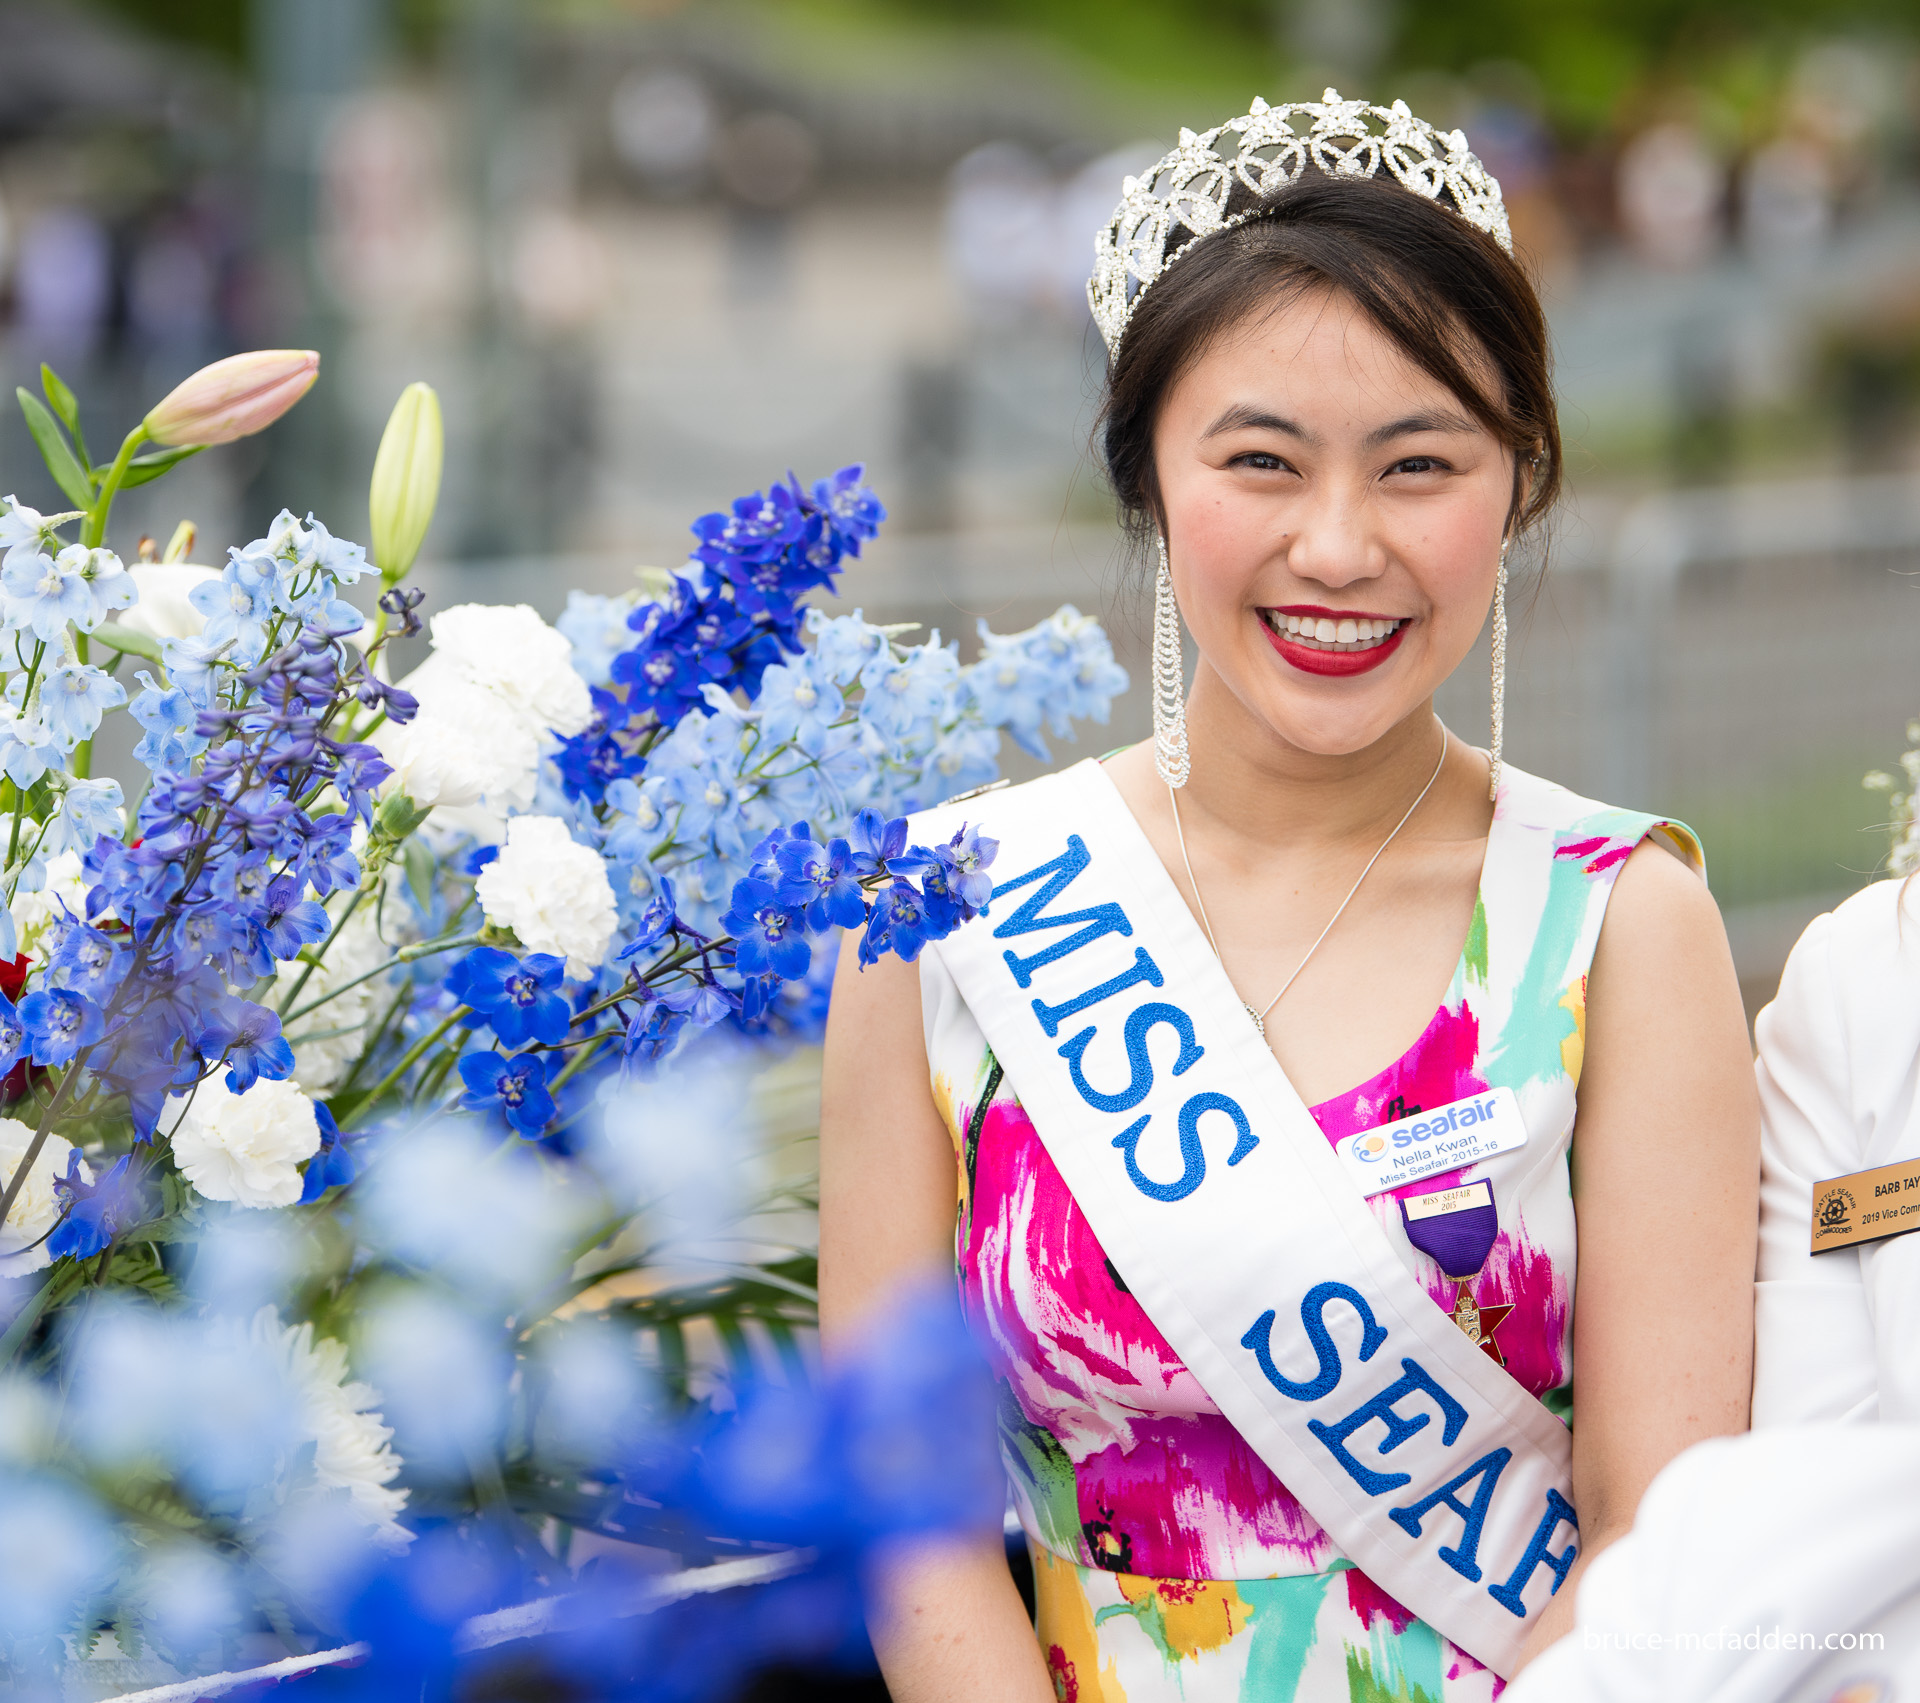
pixel 1249 788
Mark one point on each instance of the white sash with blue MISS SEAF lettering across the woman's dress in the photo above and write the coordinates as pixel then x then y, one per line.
pixel 1234 1224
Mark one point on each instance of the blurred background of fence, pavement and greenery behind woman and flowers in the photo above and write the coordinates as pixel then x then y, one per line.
pixel 656 254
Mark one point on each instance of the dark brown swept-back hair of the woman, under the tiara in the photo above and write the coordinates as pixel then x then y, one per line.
pixel 1443 291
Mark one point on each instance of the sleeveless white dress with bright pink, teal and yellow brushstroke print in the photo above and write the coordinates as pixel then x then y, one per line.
pixel 1170 1562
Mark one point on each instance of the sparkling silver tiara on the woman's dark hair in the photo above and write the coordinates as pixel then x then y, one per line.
pixel 1191 187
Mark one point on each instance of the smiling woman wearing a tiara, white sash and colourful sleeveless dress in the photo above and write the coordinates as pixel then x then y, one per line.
pixel 1330 414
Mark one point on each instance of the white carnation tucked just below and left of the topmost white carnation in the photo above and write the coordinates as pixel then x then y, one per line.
pixel 464 746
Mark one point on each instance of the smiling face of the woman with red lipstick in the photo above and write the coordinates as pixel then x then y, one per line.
pixel 1333 523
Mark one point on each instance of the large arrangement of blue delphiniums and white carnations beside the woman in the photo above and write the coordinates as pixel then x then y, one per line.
pixel 389 1253
